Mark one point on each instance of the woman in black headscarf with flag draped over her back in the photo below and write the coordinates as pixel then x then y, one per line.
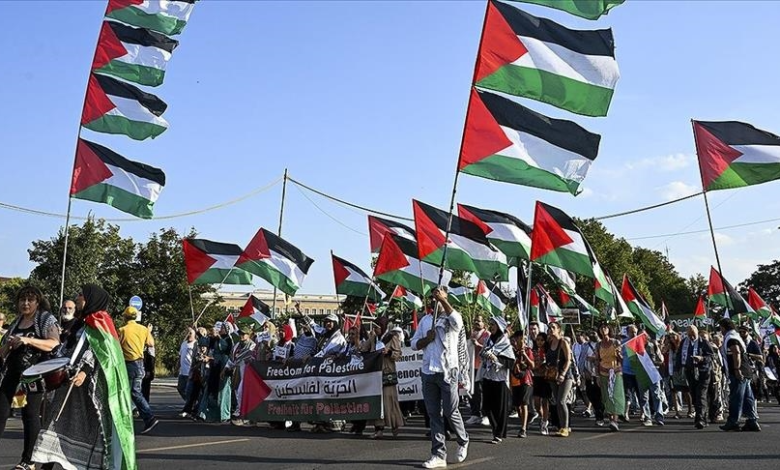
pixel 93 427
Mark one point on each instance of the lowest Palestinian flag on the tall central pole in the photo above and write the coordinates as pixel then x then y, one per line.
pixel 505 141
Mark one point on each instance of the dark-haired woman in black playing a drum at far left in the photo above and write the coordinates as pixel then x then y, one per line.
pixel 30 338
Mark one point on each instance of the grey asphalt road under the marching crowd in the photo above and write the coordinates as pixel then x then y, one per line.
pixel 180 443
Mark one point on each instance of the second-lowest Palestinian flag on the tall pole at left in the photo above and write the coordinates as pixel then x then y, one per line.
pixel 115 107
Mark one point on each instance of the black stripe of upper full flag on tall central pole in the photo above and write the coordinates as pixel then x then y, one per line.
pixel 595 42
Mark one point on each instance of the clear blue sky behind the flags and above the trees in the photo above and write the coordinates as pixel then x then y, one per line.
pixel 366 101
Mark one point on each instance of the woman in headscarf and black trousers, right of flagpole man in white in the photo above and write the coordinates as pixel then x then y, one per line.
pixel 498 358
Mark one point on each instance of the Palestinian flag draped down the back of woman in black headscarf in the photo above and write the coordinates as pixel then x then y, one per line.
pixel 104 342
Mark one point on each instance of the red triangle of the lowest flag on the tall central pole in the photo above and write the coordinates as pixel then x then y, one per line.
pixel 483 136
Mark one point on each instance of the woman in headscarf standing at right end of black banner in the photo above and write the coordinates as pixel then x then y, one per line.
pixel 391 352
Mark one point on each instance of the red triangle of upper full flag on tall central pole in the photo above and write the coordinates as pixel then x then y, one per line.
pixel 499 46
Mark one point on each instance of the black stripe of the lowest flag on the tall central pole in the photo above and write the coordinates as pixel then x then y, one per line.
pixel 564 134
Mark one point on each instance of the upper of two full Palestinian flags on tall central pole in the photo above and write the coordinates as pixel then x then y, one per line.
pixel 536 58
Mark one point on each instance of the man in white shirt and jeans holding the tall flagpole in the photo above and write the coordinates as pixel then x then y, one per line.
pixel 437 337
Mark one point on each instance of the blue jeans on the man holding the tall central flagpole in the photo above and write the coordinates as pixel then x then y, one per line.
pixel 442 396
